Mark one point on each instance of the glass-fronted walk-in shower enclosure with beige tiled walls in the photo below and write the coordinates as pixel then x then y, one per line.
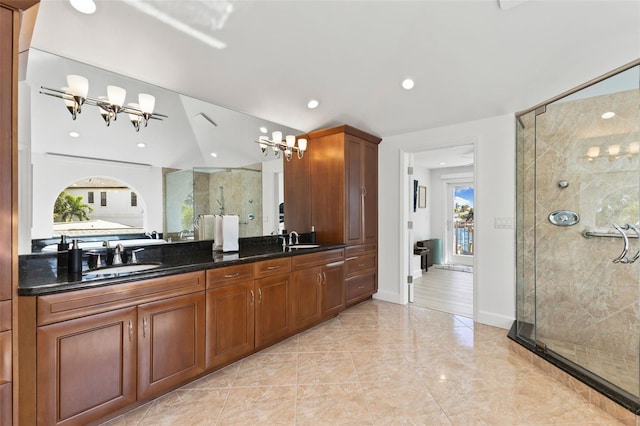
pixel 578 220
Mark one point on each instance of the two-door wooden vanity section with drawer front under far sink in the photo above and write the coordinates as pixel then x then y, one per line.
pixel 317 287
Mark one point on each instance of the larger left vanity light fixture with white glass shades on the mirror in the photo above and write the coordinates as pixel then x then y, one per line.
pixel 76 95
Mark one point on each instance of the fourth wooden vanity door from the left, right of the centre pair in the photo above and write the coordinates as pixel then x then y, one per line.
pixel 272 309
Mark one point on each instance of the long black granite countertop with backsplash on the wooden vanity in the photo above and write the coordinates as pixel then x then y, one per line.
pixel 39 273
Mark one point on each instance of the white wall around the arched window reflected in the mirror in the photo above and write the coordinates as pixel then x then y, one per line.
pixel 51 175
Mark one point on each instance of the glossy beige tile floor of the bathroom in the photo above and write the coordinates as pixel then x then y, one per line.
pixel 377 364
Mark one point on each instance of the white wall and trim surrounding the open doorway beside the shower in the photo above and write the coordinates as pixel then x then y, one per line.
pixel 494 272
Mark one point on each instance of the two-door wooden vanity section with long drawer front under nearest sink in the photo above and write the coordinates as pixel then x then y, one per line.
pixel 87 353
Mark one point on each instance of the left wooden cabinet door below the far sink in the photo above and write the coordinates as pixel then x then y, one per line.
pixel 306 294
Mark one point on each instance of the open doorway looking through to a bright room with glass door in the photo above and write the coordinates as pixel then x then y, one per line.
pixel 447 284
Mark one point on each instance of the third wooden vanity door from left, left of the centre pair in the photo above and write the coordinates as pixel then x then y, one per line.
pixel 230 323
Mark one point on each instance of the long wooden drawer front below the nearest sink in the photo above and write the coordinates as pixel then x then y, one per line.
pixel 79 303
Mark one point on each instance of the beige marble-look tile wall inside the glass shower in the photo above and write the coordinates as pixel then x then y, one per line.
pixel 568 282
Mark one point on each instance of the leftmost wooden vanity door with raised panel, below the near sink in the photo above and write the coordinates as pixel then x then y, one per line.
pixel 86 367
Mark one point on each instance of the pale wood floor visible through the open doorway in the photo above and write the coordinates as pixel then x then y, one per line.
pixel 445 290
